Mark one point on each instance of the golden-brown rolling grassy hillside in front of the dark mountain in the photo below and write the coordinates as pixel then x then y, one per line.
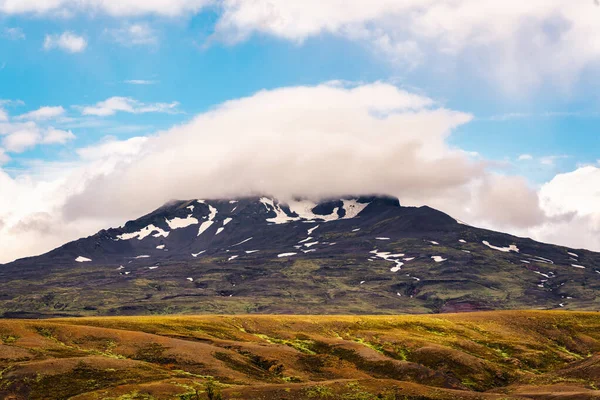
pixel 487 355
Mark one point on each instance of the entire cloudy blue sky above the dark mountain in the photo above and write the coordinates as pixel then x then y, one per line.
pixel 487 110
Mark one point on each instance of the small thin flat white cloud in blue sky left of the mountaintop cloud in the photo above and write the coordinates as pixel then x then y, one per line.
pixel 126 104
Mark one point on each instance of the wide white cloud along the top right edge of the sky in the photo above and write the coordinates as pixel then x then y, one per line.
pixel 519 45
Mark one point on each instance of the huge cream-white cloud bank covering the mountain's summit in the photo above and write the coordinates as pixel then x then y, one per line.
pixel 315 141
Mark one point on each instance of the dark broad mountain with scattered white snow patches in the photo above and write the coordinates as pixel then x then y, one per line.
pixel 362 255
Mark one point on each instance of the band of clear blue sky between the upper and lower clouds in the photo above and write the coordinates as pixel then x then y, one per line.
pixel 185 65
